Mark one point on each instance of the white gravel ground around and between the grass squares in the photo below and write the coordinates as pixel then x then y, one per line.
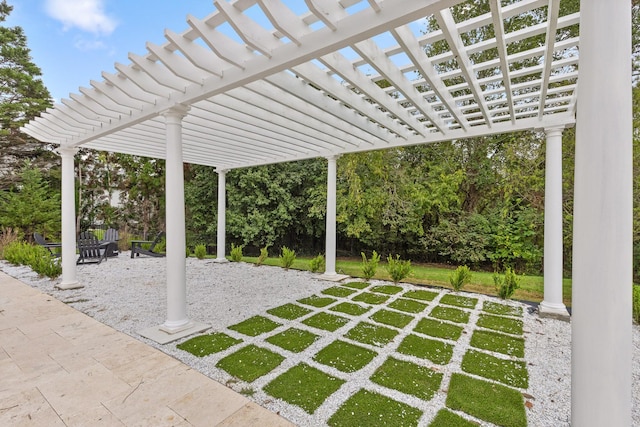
pixel 130 295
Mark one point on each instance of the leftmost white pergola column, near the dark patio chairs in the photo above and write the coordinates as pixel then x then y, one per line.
pixel 69 280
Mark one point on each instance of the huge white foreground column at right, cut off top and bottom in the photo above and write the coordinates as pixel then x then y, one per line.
pixel 602 233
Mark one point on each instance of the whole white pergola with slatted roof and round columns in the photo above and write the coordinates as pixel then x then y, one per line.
pixel 255 83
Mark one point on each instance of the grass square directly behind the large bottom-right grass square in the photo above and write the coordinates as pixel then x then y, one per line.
pixel 509 372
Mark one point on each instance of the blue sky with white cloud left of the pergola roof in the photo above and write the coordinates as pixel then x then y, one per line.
pixel 73 41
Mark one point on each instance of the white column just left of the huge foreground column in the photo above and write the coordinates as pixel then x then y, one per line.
pixel 552 305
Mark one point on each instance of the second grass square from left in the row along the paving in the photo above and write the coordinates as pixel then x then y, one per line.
pixel 250 362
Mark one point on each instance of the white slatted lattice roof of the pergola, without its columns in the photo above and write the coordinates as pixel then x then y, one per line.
pixel 345 76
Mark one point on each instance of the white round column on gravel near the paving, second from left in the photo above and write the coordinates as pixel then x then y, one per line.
pixel 176 245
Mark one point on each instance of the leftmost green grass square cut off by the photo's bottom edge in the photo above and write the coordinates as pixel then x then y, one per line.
pixel 367 408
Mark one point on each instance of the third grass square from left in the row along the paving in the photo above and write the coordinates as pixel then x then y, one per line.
pixel 304 386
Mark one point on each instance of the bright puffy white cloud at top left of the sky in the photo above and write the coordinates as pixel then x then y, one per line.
pixel 87 15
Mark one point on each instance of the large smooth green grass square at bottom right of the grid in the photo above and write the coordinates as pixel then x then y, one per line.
pixel 488 401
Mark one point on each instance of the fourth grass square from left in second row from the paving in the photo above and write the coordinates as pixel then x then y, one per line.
pixel 408 378
